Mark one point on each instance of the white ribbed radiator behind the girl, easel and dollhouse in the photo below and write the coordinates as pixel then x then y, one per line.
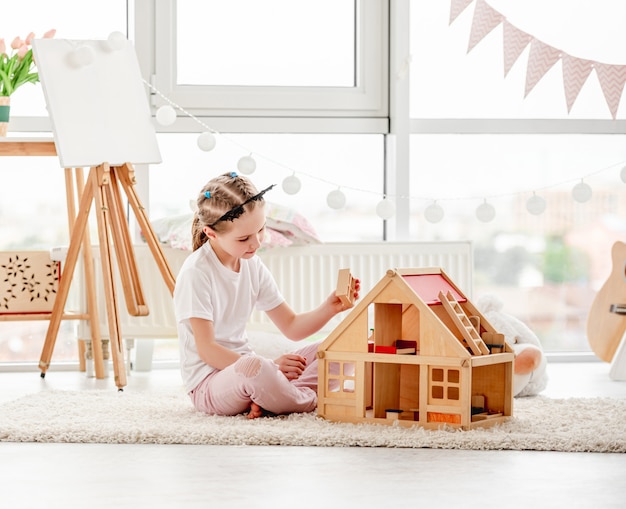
pixel 306 275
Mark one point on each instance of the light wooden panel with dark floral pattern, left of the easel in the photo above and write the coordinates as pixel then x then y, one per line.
pixel 28 282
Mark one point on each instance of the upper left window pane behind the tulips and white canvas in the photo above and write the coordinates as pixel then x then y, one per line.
pixel 97 21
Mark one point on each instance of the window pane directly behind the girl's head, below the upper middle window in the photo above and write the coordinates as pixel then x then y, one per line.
pixel 322 163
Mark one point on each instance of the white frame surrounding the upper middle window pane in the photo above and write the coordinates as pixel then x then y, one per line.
pixel 367 102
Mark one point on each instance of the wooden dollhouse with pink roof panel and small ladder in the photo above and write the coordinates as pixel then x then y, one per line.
pixel 415 351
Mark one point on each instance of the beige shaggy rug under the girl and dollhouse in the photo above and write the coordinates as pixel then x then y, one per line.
pixel 539 423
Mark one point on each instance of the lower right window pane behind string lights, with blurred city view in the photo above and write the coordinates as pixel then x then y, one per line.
pixel 545 268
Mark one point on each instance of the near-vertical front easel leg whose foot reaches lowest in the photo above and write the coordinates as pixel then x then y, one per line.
pixel 104 223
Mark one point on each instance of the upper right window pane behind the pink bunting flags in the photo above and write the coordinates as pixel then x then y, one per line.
pixel 447 81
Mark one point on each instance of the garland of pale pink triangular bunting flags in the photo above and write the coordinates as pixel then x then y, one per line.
pixel 542 57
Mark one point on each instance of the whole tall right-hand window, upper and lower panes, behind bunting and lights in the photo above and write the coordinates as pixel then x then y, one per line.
pixel 477 140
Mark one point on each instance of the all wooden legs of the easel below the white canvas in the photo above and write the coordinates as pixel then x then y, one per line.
pixel 102 188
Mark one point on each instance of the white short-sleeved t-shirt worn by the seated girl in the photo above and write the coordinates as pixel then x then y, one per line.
pixel 208 290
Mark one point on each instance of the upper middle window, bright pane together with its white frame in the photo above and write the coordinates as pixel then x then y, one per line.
pixel 271 59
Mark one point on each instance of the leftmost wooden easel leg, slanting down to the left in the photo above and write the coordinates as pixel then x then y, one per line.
pixel 65 282
